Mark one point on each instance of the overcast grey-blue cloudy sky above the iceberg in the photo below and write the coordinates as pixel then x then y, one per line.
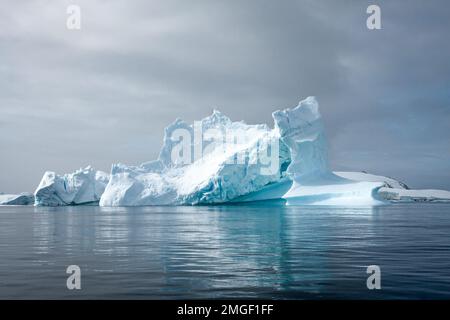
pixel 103 94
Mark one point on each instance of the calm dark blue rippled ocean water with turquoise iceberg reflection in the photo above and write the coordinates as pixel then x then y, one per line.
pixel 226 252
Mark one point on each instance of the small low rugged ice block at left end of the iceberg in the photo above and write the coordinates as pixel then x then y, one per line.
pixel 84 186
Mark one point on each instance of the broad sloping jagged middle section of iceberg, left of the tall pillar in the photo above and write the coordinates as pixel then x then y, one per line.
pixel 214 160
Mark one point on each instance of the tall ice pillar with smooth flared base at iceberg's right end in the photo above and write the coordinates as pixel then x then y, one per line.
pixel 301 129
